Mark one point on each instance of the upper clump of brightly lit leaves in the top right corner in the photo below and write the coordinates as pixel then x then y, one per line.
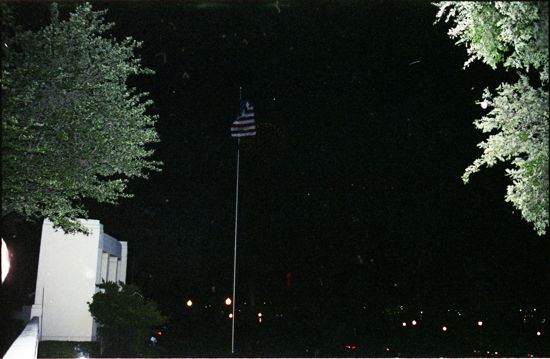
pixel 512 33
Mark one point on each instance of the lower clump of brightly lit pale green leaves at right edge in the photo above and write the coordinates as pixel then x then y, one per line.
pixel 519 126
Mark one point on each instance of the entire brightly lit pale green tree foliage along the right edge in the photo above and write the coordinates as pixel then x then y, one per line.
pixel 514 34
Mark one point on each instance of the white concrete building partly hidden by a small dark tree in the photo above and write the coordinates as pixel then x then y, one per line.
pixel 69 267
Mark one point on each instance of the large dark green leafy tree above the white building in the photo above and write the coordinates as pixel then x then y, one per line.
pixel 71 127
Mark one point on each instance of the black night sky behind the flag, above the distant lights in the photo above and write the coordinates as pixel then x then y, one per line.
pixel 353 182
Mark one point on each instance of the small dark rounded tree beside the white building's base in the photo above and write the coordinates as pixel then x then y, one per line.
pixel 125 318
